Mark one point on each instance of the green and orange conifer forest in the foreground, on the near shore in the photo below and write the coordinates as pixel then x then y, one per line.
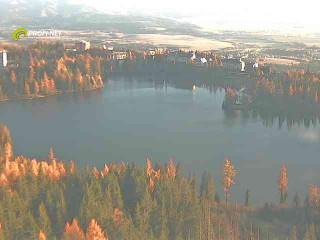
pixel 52 199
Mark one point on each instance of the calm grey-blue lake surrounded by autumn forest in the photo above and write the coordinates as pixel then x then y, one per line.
pixel 130 120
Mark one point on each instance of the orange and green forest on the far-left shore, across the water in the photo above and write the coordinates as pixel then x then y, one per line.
pixel 42 69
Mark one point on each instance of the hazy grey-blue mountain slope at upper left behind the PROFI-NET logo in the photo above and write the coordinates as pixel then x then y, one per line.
pixel 63 15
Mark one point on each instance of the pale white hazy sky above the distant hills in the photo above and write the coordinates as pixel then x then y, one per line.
pixel 206 12
